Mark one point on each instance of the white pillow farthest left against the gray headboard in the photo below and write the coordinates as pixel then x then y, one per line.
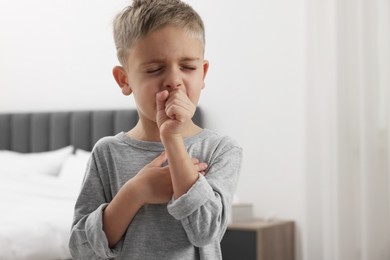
pixel 48 163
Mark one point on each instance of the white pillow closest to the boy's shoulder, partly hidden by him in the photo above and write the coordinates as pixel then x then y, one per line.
pixel 73 169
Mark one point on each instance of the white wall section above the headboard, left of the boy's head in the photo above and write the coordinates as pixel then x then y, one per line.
pixel 57 55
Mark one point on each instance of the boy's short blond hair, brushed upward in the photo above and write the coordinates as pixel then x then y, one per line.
pixel 145 16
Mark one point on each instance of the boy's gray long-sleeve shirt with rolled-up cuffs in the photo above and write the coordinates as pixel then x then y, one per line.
pixel 190 227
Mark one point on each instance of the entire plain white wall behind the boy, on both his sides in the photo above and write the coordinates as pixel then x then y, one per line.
pixel 58 55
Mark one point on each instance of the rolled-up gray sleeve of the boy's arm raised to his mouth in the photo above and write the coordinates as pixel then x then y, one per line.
pixel 204 210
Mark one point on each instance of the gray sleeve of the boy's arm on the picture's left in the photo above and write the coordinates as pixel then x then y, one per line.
pixel 87 239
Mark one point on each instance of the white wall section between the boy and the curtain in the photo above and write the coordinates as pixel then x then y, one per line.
pixel 255 92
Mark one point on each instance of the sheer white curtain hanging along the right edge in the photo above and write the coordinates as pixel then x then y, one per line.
pixel 348 130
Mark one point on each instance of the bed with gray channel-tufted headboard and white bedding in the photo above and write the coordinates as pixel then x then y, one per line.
pixel 43 156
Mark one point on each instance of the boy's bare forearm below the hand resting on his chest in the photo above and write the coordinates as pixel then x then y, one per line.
pixel 118 215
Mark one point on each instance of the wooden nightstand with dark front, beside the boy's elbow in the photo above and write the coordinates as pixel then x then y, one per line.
pixel 259 240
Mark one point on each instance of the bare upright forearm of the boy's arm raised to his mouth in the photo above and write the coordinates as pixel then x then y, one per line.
pixel 183 172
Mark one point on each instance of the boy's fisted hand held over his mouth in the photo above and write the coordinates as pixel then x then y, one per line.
pixel 174 109
